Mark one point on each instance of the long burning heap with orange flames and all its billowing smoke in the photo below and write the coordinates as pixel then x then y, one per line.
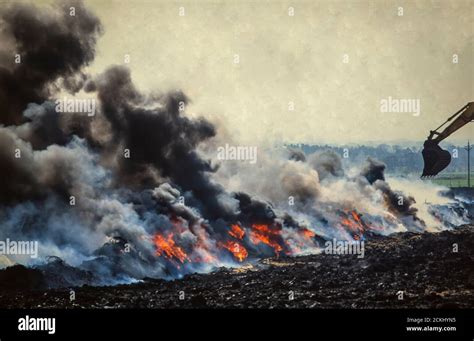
pixel 133 191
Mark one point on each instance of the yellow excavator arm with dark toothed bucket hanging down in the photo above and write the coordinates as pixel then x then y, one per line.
pixel 435 158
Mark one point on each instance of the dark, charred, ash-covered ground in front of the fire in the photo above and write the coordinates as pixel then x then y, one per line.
pixel 423 265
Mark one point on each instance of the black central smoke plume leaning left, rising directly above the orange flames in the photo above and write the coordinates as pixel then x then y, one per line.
pixel 159 136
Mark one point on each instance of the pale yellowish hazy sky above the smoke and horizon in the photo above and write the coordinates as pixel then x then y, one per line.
pixel 299 59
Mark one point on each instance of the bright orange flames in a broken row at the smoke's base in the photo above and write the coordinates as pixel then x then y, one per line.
pixel 239 240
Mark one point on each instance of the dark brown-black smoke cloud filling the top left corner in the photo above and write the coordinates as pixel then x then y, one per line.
pixel 53 46
